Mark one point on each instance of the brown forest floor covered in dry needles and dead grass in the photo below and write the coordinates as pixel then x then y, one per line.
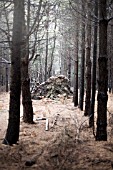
pixel 68 144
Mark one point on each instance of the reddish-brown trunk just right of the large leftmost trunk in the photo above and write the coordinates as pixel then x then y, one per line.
pixel 26 95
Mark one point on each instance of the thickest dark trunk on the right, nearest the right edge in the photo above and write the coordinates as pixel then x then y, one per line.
pixel 101 133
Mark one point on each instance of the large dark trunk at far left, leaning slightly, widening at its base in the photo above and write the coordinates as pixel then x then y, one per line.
pixel 12 134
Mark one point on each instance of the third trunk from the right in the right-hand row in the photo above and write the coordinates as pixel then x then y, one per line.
pixel 88 60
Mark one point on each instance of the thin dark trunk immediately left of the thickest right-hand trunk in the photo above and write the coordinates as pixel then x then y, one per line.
pixel 93 90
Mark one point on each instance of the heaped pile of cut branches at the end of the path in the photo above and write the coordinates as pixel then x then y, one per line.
pixel 52 88
